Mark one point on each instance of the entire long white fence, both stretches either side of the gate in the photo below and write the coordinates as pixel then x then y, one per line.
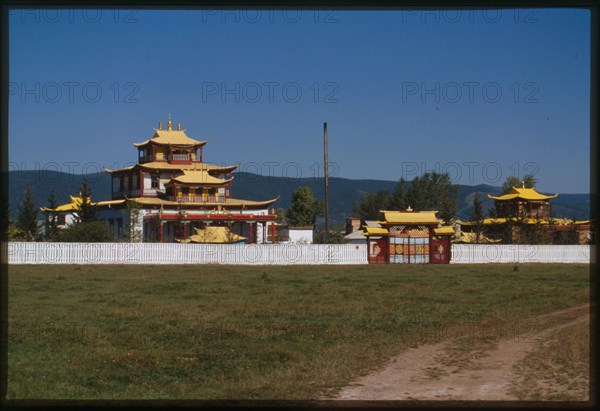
pixel 155 253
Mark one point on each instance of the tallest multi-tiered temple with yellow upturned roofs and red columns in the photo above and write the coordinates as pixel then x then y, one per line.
pixel 176 193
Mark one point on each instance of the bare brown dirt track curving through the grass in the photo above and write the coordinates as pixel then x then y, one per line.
pixel 455 370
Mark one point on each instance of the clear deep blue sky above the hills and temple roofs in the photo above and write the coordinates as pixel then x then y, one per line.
pixel 478 94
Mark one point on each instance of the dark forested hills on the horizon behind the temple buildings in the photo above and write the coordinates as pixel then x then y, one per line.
pixel 342 192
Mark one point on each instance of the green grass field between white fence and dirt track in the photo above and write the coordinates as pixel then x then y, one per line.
pixel 251 332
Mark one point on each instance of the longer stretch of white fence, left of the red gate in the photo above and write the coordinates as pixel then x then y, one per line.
pixel 174 253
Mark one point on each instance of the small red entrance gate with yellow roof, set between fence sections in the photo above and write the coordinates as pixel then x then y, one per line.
pixel 408 237
